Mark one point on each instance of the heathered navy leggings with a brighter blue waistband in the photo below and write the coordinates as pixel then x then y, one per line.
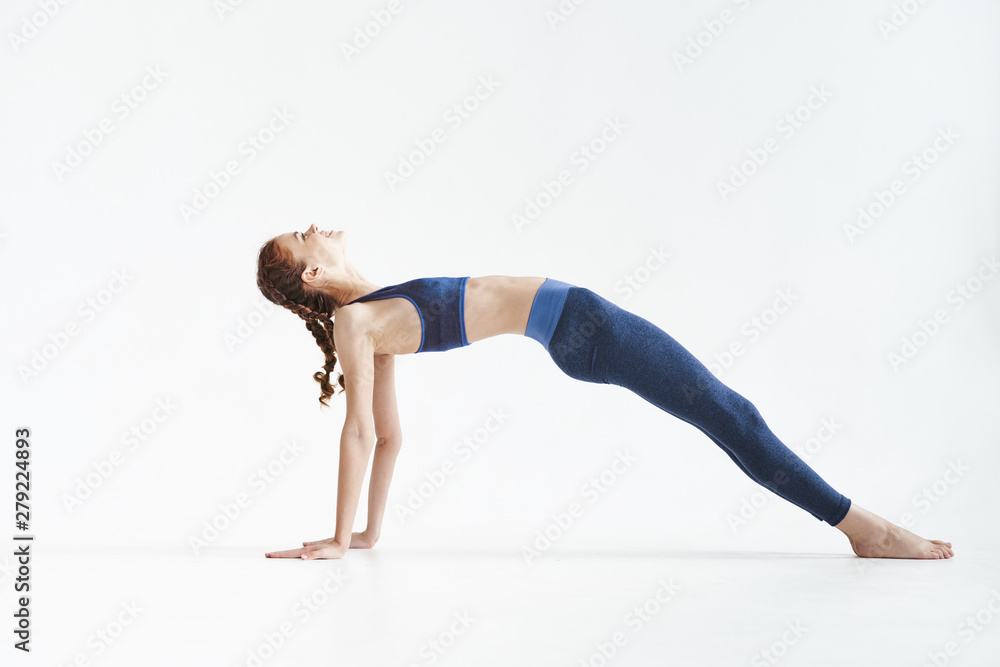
pixel 592 339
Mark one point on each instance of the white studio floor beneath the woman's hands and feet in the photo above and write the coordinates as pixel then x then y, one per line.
pixel 398 608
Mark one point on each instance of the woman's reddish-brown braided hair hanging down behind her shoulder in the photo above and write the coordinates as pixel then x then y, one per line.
pixel 279 278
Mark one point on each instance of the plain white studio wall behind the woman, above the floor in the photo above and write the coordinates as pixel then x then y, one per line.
pixel 168 335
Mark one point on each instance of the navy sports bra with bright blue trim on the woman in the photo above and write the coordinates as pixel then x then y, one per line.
pixel 440 302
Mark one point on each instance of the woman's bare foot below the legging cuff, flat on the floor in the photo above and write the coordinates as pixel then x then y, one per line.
pixel 872 536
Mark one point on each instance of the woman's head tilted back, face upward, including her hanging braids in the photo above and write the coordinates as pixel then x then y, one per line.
pixel 302 272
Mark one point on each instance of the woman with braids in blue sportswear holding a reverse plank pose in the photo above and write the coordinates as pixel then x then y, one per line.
pixel 588 337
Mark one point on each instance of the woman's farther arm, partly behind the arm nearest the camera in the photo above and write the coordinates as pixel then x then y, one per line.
pixel 389 441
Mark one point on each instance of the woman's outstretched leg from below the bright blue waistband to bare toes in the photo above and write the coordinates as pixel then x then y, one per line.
pixel 596 341
